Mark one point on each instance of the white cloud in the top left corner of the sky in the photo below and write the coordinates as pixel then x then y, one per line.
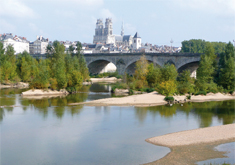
pixel 15 8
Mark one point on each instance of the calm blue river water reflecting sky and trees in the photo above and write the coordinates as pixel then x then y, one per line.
pixel 37 130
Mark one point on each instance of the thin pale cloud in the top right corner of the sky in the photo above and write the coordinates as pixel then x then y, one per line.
pixel 221 7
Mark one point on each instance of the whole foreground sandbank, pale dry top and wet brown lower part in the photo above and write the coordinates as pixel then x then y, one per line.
pixel 189 147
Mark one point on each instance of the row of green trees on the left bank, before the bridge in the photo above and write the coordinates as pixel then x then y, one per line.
pixel 58 71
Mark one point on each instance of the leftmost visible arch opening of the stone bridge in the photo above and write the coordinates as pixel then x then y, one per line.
pixel 100 66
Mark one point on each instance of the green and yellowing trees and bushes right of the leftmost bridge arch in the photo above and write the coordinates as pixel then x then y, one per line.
pixel 212 75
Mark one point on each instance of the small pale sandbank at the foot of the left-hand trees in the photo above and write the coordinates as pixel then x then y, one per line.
pixel 33 92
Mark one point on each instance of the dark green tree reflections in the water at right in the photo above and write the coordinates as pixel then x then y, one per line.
pixel 222 110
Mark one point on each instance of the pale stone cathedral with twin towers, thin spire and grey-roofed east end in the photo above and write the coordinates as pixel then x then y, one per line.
pixel 105 35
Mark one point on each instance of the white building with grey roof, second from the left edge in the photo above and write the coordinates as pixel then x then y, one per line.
pixel 39 46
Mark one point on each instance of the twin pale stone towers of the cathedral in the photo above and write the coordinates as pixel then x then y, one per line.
pixel 104 35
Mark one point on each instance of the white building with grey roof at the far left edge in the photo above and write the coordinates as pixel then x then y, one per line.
pixel 20 44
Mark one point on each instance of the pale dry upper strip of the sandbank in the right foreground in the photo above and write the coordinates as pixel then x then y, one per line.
pixel 196 136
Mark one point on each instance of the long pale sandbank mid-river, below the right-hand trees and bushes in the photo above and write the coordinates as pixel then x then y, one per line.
pixel 153 99
